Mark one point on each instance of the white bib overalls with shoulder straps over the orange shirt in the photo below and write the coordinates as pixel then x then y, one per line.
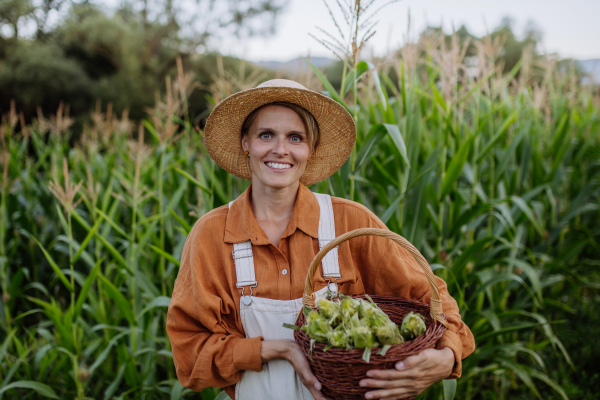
pixel 265 317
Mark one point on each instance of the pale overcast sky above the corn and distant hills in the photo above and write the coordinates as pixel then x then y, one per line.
pixel 570 28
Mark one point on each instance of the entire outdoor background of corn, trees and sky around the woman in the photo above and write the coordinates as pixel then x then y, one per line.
pixel 478 127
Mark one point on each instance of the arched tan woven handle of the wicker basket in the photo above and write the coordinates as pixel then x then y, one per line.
pixel 436 303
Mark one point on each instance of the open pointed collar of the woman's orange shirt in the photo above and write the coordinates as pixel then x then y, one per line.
pixel 241 225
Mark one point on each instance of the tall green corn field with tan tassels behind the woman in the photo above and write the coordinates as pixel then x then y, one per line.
pixel 493 176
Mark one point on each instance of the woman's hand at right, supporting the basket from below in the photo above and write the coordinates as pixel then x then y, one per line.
pixel 411 376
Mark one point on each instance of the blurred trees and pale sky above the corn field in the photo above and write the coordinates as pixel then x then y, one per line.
pixel 117 52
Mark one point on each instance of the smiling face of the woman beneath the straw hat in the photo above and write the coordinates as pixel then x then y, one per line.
pixel 277 143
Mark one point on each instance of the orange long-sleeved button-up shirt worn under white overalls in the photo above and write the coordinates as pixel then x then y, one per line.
pixel 203 322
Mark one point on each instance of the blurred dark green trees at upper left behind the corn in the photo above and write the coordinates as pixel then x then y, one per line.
pixel 121 58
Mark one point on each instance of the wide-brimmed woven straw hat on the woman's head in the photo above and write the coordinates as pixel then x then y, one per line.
pixel 336 126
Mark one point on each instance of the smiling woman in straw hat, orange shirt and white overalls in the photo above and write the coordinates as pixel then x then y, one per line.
pixel 244 265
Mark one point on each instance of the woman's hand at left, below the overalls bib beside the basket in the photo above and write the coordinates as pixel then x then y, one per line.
pixel 290 351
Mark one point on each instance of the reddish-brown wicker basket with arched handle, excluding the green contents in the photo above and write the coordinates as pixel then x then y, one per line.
pixel 340 370
